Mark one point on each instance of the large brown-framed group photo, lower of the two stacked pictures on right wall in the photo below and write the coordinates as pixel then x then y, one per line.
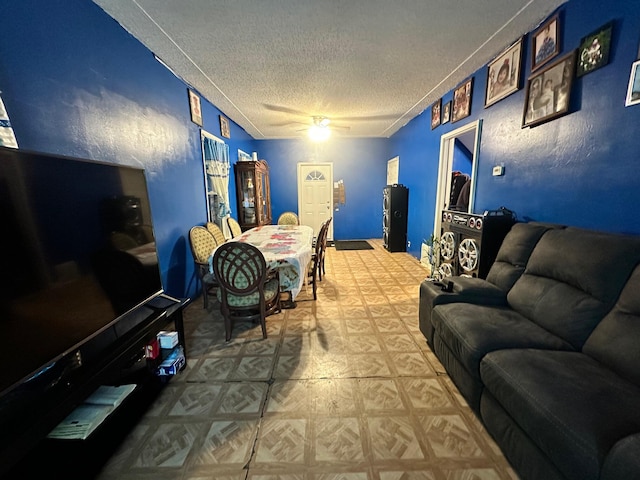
pixel 549 91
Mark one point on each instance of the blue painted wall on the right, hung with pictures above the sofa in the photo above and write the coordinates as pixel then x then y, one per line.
pixel 581 169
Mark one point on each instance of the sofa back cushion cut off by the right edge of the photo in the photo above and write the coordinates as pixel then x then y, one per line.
pixel 615 342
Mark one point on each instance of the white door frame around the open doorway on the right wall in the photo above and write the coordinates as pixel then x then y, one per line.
pixel 445 166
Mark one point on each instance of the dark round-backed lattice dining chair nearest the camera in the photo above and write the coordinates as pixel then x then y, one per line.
pixel 248 289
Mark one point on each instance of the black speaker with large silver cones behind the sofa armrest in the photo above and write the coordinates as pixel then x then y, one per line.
pixel 469 243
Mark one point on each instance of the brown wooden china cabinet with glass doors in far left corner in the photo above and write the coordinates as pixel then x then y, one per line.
pixel 253 194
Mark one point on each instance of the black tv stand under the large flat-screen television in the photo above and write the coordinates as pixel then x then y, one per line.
pixel 24 447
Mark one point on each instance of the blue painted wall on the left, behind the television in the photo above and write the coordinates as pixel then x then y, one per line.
pixel 75 83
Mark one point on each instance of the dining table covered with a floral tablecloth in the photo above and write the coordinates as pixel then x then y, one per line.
pixel 287 248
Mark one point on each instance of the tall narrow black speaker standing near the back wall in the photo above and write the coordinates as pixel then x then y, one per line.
pixel 395 204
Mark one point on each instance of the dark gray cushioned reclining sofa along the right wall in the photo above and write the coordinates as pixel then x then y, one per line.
pixel 546 350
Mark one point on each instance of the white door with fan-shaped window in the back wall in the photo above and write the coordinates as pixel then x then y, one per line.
pixel 315 195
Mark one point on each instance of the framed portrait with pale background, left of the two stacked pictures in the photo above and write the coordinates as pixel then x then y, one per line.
pixel 503 74
